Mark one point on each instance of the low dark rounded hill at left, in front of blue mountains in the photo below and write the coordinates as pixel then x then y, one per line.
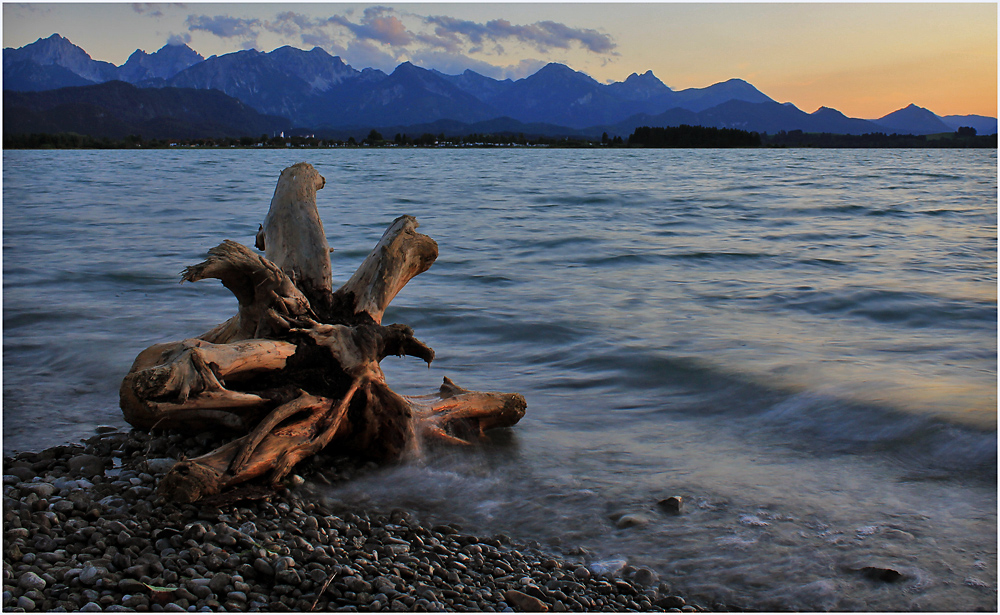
pixel 117 109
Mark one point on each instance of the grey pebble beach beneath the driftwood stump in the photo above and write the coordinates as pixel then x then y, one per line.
pixel 84 530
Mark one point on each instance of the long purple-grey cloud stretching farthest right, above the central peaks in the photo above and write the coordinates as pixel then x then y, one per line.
pixel 541 35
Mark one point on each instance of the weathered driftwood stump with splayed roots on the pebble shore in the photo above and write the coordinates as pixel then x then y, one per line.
pixel 297 368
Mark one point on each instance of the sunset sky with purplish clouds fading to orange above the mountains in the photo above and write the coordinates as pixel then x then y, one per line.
pixel 865 60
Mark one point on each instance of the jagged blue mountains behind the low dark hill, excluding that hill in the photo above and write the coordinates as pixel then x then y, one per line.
pixel 299 84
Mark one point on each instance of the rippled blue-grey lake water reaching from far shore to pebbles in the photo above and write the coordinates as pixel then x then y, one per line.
pixel 802 344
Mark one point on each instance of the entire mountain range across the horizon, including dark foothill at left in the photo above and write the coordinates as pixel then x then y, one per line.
pixel 314 91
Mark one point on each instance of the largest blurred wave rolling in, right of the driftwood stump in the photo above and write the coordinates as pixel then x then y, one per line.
pixel 649 385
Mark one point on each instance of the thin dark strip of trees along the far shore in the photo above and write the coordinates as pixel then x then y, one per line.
pixel 643 137
